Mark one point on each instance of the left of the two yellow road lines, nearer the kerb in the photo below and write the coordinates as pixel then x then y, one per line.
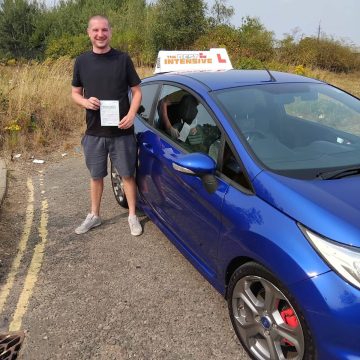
pixel 5 291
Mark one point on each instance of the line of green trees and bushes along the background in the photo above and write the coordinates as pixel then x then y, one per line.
pixel 32 31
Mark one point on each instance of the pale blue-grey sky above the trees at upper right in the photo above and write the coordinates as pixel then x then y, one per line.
pixel 338 19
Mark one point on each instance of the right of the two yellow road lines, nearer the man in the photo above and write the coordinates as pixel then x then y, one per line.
pixel 33 271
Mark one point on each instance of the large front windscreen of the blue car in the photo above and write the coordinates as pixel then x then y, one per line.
pixel 296 129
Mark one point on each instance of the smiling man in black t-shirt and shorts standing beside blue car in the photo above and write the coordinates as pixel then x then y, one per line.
pixel 107 74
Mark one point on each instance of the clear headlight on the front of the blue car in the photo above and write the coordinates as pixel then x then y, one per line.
pixel 345 260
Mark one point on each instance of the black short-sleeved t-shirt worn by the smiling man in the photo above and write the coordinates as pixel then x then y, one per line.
pixel 107 77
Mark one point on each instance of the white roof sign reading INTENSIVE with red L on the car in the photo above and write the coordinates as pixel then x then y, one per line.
pixel 179 61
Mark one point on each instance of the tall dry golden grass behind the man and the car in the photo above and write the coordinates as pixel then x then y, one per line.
pixel 38 115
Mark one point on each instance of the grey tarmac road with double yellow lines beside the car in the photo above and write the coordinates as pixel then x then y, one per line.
pixel 104 294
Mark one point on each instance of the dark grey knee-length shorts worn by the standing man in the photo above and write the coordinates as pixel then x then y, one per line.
pixel 121 150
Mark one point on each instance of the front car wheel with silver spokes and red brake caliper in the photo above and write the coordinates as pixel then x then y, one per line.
pixel 265 316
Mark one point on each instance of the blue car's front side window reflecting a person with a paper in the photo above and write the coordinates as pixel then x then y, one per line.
pixel 181 117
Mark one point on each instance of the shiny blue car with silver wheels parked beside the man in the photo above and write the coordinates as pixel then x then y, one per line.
pixel 255 177
